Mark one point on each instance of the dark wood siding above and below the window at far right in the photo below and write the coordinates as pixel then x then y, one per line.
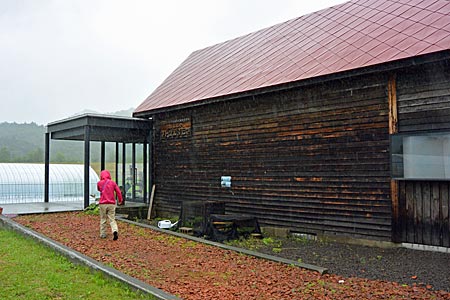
pixel 424 106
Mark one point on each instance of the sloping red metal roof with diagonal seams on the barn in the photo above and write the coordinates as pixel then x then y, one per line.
pixel 352 35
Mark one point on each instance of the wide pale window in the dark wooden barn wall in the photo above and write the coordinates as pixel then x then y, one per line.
pixel 420 156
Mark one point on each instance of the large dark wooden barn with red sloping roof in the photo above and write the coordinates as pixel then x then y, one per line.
pixel 323 124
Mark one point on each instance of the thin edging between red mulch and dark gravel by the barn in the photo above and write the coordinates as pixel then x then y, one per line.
pixel 321 270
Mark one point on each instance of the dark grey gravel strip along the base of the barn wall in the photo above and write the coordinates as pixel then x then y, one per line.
pixel 402 265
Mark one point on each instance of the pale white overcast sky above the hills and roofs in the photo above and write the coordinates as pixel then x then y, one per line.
pixel 60 57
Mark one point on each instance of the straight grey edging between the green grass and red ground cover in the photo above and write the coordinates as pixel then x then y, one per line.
pixel 78 258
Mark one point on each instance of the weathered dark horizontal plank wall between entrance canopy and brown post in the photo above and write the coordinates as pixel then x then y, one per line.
pixel 314 159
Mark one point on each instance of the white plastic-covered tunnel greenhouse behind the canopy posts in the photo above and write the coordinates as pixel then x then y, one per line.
pixel 24 183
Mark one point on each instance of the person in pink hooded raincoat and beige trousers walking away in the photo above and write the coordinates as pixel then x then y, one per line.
pixel 107 203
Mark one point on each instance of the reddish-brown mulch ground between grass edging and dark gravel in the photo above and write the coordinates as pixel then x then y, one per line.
pixel 193 270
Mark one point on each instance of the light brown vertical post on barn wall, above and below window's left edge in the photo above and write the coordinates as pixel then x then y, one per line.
pixel 393 128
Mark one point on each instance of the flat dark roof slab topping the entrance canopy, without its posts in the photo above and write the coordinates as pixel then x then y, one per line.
pixel 106 128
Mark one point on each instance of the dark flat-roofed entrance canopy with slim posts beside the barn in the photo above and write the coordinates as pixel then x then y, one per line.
pixel 101 128
